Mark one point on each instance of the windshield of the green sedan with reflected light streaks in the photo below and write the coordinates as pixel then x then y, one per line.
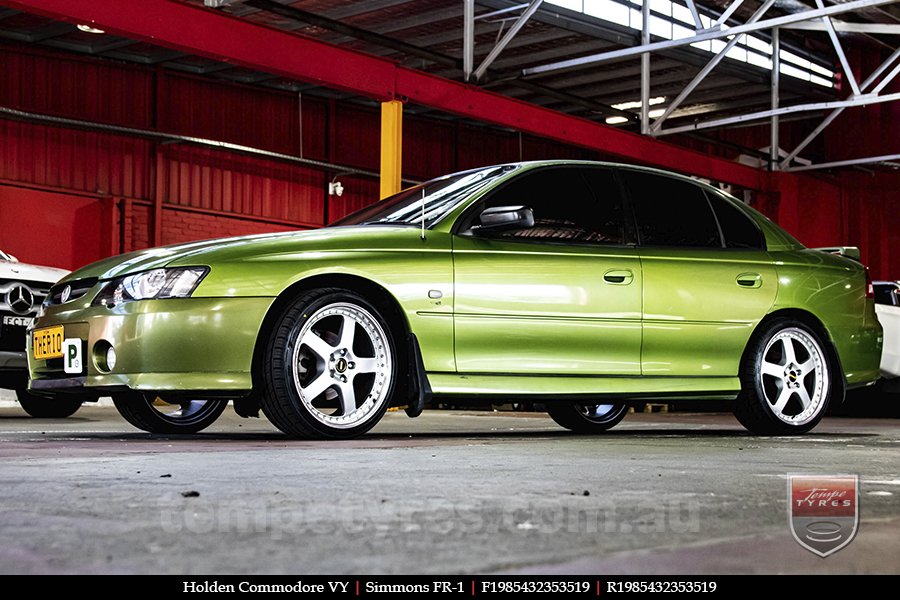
pixel 440 197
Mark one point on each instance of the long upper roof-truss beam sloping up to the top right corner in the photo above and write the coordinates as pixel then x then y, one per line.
pixel 707 35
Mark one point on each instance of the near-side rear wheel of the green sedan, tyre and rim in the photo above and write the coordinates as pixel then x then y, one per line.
pixel 786 380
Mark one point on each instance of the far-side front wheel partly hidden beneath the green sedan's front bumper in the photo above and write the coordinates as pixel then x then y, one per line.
pixel 168 415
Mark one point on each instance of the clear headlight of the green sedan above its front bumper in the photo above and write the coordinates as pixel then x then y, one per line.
pixel 156 284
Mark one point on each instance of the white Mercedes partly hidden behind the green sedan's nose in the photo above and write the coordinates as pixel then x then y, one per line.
pixel 23 288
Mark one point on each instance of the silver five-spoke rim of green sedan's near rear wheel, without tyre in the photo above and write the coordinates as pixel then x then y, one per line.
pixel 794 376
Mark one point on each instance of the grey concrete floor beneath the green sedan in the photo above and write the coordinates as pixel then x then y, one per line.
pixel 452 492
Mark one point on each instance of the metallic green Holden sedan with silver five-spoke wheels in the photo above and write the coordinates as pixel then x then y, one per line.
pixel 584 286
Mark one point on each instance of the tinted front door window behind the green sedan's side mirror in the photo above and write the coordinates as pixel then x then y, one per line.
pixel 565 206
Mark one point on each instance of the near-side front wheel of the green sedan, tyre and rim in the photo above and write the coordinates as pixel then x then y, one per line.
pixel 330 368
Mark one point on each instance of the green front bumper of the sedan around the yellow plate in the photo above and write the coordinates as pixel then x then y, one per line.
pixel 188 344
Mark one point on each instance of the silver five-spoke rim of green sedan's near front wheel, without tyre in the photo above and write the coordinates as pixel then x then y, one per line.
pixel 342 365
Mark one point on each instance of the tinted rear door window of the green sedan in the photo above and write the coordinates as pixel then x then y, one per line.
pixel 671 212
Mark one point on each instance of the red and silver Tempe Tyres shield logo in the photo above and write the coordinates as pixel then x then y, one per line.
pixel 824 513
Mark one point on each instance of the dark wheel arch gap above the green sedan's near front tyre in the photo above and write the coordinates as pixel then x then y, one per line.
pixel 371 290
